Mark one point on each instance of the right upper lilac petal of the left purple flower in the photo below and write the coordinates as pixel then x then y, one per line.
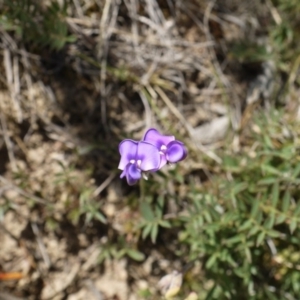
pixel 149 156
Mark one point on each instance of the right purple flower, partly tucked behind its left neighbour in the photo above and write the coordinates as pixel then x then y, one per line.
pixel 170 149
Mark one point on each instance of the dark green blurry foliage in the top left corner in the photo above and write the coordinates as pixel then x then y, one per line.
pixel 36 23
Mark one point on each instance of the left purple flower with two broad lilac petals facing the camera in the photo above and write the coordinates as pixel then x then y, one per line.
pixel 137 157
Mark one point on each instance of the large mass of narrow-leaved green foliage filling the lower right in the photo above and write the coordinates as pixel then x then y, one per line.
pixel 245 230
